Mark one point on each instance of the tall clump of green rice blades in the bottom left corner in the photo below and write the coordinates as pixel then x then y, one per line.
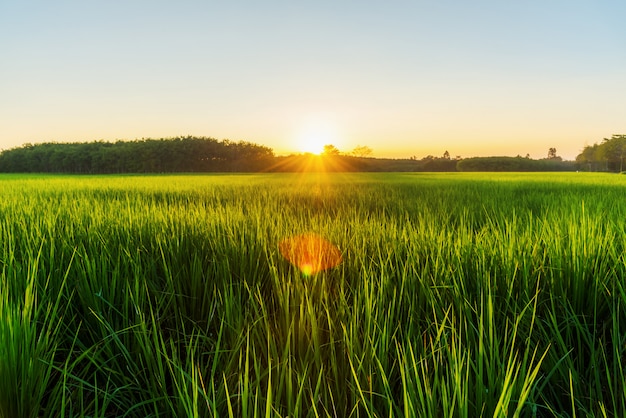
pixel 31 328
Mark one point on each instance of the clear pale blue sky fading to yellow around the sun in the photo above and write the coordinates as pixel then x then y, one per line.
pixel 402 77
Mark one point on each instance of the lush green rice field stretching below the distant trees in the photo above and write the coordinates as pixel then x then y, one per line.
pixel 458 295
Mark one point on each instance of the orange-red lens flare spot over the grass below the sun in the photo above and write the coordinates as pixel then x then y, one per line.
pixel 311 253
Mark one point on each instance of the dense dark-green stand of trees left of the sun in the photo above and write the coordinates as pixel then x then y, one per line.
pixel 181 154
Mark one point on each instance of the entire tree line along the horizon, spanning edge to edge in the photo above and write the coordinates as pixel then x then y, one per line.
pixel 203 154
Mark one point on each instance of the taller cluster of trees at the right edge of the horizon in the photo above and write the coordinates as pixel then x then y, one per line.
pixel 608 155
